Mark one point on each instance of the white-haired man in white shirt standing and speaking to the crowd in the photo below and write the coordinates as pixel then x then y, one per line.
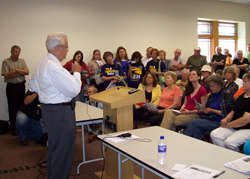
pixel 56 88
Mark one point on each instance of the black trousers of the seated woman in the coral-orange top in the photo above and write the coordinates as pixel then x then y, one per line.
pixel 153 117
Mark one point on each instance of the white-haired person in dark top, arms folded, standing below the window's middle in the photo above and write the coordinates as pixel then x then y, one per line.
pixel 219 59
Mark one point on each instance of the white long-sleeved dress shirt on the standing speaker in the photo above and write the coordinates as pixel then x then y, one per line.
pixel 54 83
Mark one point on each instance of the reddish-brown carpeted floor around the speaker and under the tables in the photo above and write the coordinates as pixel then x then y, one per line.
pixel 20 162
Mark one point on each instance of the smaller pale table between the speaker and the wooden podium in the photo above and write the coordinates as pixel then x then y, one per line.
pixel 85 115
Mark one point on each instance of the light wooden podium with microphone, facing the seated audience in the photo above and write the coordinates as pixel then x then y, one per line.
pixel 118 104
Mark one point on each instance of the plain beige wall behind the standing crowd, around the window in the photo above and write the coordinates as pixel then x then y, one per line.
pixel 134 24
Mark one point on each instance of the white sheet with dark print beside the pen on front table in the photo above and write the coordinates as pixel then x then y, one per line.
pixel 196 172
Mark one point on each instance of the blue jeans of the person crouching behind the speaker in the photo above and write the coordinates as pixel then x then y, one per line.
pixel 27 127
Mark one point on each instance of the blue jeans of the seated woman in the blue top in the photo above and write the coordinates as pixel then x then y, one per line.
pixel 198 126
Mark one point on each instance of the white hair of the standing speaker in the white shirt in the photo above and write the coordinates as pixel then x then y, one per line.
pixel 55 39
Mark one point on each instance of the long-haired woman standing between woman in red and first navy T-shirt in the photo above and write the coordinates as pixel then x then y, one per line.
pixel 94 66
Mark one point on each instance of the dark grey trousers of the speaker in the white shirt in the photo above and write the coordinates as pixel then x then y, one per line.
pixel 61 126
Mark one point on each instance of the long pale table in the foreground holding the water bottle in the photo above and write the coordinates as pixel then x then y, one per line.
pixel 181 149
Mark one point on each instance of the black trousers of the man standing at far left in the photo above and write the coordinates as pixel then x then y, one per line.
pixel 15 94
